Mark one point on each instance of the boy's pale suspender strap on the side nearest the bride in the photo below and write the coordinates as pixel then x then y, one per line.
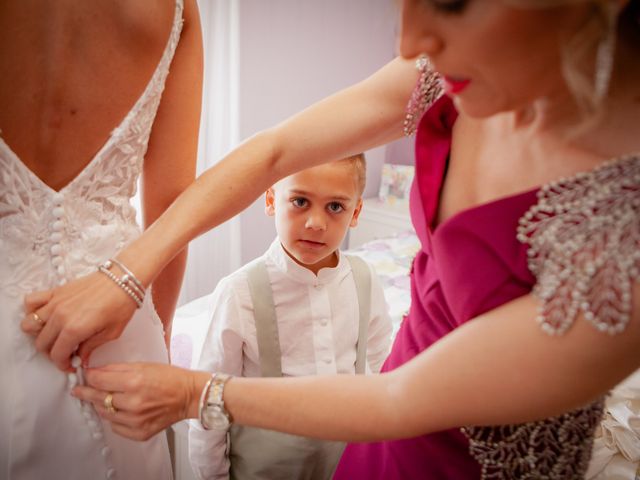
pixel 266 321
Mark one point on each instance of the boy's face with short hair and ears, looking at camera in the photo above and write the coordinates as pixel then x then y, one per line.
pixel 313 210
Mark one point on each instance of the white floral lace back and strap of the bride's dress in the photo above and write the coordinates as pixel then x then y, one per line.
pixel 48 237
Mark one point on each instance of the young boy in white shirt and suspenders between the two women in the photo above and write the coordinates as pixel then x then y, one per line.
pixel 328 316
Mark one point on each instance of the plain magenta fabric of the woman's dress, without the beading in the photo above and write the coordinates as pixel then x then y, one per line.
pixel 469 264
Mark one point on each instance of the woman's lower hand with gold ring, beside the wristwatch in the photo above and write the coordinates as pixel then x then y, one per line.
pixel 146 397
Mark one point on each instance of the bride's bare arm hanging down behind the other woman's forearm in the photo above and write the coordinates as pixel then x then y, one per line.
pixel 170 161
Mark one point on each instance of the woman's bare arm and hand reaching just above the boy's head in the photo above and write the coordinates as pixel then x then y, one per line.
pixel 361 117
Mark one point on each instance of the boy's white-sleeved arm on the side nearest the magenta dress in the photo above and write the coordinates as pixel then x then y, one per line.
pixel 379 333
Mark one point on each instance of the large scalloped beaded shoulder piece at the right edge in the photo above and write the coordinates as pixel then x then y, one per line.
pixel 584 246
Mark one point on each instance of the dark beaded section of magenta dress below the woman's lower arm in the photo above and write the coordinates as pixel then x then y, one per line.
pixel 556 448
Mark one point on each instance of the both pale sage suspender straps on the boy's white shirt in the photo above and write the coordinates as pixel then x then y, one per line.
pixel 267 323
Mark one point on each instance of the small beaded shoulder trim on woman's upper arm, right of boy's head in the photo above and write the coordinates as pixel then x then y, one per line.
pixel 427 91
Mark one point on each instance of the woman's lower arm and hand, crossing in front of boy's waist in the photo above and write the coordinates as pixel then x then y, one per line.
pixel 500 368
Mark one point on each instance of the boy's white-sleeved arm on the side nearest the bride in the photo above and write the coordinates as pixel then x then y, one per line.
pixel 221 352
